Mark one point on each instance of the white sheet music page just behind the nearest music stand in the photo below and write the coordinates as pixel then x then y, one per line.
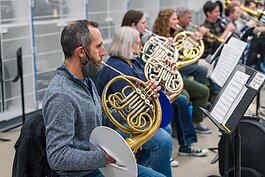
pixel 228 60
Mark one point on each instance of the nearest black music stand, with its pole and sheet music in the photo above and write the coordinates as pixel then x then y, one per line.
pixel 229 125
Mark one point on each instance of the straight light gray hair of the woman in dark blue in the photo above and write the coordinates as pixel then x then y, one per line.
pixel 122 42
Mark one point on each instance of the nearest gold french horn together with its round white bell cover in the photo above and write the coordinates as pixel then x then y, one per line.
pixel 139 117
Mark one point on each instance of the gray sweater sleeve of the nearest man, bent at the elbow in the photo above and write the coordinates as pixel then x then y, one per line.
pixel 59 117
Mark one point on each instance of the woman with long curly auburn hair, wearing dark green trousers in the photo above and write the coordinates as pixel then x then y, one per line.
pixel 165 25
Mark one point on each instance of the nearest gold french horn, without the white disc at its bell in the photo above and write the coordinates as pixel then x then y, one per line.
pixel 136 106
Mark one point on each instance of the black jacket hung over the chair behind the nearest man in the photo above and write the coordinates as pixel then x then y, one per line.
pixel 30 158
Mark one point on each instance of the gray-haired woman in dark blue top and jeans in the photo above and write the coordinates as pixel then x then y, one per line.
pixel 156 152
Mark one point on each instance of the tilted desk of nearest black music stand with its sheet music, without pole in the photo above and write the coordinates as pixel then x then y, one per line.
pixel 252 81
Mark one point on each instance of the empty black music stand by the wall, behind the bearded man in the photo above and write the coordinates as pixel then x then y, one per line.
pixel 19 76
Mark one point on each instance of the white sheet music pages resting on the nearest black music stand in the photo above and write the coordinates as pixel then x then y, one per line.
pixel 230 97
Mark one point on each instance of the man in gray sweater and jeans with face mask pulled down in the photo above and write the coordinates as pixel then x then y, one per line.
pixel 72 107
